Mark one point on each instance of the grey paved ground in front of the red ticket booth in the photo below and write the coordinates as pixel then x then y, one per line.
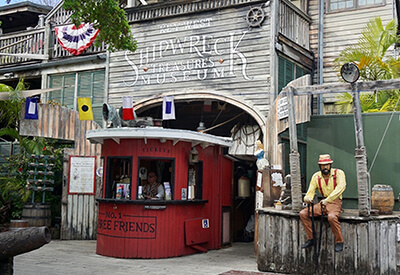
pixel 79 257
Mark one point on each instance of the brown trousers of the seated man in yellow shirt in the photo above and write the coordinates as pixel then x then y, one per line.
pixel 333 210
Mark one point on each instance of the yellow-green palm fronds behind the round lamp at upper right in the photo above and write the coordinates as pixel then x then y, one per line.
pixel 371 56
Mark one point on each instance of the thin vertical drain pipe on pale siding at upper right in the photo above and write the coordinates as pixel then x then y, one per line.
pixel 320 53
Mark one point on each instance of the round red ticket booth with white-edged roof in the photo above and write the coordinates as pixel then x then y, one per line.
pixel 189 219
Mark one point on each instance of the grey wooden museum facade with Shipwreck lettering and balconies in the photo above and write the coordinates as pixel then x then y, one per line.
pixel 233 55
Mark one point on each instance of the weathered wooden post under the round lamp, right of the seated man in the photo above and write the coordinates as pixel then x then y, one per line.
pixel 361 157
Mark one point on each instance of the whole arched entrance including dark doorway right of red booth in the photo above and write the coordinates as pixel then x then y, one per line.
pixel 222 115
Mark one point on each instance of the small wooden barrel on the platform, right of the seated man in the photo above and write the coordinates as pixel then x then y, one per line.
pixel 382 198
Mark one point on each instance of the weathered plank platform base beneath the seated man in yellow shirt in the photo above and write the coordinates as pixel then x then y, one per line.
pixel 371 245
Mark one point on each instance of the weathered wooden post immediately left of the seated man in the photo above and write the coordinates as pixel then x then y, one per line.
pixel 294 156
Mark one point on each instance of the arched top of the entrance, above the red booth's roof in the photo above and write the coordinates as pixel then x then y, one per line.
pixel 193 106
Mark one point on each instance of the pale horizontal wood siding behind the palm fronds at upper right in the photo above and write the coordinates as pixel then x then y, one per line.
pixel 341 29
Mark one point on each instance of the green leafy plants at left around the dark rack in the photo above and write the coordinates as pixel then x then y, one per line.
pixel 14 171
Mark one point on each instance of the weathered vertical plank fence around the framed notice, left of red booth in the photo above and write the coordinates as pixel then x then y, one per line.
pixel 78 212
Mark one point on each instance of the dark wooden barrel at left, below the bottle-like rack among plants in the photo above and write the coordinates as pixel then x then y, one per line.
pixel 37 214
